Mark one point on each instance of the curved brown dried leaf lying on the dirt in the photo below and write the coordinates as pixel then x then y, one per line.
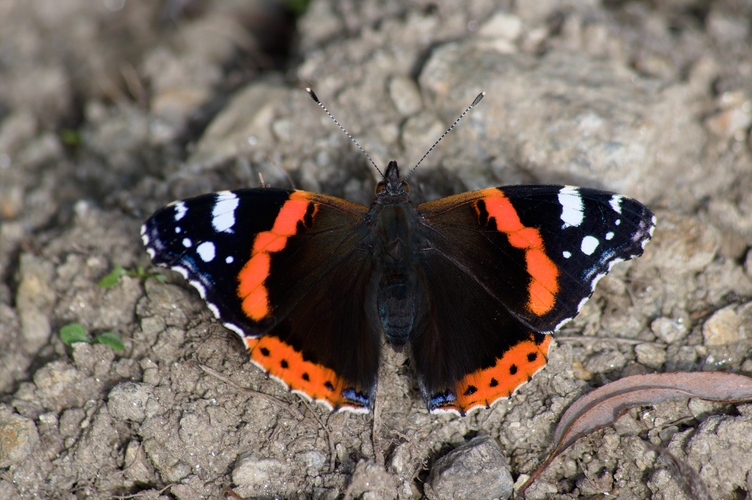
pixel 605 405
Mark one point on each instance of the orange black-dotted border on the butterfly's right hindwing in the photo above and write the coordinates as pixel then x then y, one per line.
pixel 517 366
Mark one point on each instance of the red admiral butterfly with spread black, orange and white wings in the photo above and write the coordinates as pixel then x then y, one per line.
pixel 472 284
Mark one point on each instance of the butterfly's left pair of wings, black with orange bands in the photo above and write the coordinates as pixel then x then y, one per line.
pixel 287 272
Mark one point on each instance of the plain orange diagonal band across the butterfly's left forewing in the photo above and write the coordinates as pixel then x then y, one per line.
pixel 252 278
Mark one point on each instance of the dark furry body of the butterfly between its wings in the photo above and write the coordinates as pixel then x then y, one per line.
pixel 394 226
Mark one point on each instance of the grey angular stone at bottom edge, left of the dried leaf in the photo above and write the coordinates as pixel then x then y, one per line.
pixel 476 469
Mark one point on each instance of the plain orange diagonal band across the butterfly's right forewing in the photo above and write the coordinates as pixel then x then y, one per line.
pixel 544 284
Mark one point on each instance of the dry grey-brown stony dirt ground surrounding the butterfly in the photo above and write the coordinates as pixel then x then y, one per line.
pixel 110 109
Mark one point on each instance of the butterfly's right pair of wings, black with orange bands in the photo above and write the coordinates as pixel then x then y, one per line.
pixel 525 259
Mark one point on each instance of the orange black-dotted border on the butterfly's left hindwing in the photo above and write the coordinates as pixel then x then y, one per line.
pixel 282 361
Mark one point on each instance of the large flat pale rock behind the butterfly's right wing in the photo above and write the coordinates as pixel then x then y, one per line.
pixel 567 117
